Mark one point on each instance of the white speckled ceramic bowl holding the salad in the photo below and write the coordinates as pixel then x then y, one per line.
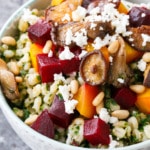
pixel 32 138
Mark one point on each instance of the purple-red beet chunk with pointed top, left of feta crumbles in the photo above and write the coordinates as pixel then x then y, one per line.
pixel 58 114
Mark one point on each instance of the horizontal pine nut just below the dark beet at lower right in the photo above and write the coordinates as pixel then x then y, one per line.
pixel 120 114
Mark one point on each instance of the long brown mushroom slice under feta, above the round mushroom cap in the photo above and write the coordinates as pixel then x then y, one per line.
pixel 68 31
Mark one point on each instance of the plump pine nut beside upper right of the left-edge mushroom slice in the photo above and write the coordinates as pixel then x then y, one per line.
pixel 13 67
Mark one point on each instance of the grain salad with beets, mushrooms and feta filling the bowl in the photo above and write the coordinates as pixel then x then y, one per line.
pixel 79 72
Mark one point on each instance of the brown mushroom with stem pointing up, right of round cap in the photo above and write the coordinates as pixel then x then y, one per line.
pixel 119 69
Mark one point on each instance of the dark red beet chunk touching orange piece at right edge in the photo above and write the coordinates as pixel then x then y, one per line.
pixel 125 97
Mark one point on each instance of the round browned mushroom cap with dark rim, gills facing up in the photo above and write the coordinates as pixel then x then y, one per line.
pixel 93 68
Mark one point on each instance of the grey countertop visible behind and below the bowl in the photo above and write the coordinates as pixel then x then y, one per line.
pixel 9 140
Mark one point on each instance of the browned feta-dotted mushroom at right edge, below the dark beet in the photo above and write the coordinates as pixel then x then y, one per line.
pixel 136 40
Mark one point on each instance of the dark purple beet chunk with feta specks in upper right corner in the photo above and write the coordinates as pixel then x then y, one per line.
pixel 139 16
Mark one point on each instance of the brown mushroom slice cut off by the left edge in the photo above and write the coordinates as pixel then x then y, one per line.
pixel 8 82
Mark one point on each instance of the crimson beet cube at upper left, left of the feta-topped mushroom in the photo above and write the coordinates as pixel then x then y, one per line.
pixel 40 32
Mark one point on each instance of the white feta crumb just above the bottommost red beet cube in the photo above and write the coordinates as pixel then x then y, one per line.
pixel 104 115
